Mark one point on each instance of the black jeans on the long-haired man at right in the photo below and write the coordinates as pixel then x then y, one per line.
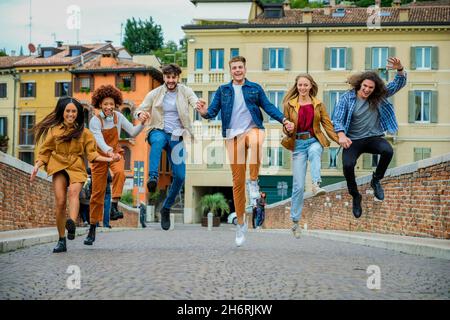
pixel 373 145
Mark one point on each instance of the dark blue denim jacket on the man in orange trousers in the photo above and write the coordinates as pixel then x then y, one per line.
pixel 254 97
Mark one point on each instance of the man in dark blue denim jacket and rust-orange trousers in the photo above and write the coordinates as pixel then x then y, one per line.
pixel 240 103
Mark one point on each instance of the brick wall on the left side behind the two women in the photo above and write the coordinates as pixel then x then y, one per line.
pixel 24 205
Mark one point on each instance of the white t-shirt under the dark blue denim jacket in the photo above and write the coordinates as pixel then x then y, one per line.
pixel 241 118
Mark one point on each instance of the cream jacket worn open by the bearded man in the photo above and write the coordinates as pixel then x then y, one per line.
pixel 153 103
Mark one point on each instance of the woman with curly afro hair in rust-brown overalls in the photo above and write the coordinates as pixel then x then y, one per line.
pixel 106 127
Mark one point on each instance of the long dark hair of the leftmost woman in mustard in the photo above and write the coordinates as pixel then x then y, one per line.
pixel 56 117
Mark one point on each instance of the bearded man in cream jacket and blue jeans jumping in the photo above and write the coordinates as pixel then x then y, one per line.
pixel 168 106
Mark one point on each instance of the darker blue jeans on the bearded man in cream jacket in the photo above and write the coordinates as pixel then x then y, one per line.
pixel 159 140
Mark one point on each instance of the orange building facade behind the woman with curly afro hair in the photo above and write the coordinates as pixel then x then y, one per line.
pixel 134 81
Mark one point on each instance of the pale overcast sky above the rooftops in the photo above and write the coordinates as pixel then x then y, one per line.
pixel 100 20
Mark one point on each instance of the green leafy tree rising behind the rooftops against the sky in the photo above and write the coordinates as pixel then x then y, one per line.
pixel 142 37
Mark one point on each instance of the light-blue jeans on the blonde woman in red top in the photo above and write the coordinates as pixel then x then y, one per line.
pixel 304 150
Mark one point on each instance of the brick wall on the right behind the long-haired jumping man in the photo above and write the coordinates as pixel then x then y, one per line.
pixel 417 199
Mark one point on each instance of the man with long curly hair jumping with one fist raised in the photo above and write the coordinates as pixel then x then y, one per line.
pixel 360 119
